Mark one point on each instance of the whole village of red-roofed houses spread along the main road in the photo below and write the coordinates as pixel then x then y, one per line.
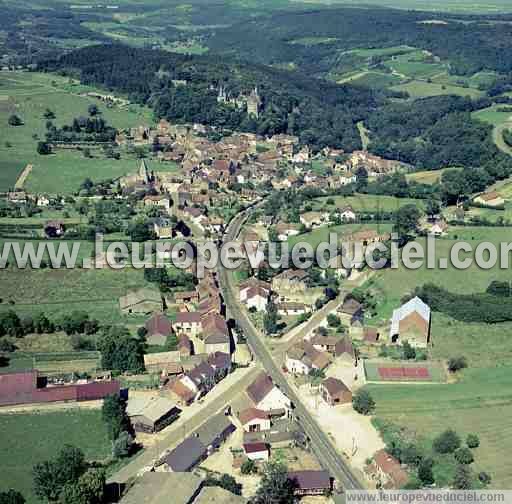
pixel 211 407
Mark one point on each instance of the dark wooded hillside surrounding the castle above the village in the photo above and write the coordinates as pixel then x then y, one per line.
pixel 319 112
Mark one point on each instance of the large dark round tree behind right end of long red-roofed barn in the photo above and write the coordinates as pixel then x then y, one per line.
pixel 120 352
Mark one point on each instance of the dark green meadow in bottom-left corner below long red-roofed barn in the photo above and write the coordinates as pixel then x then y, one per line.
pixel 29 438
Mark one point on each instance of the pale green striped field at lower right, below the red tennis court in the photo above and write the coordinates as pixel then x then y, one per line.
pixel 478 403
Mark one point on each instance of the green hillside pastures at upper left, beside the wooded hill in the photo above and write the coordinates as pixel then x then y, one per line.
pixel 29 95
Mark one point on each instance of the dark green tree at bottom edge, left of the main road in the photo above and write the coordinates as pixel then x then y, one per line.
pixel 275 487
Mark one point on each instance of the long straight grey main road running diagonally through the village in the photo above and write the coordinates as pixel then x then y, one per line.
pixel 322 445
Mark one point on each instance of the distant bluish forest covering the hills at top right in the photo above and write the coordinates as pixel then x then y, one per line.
pixel 471 44
